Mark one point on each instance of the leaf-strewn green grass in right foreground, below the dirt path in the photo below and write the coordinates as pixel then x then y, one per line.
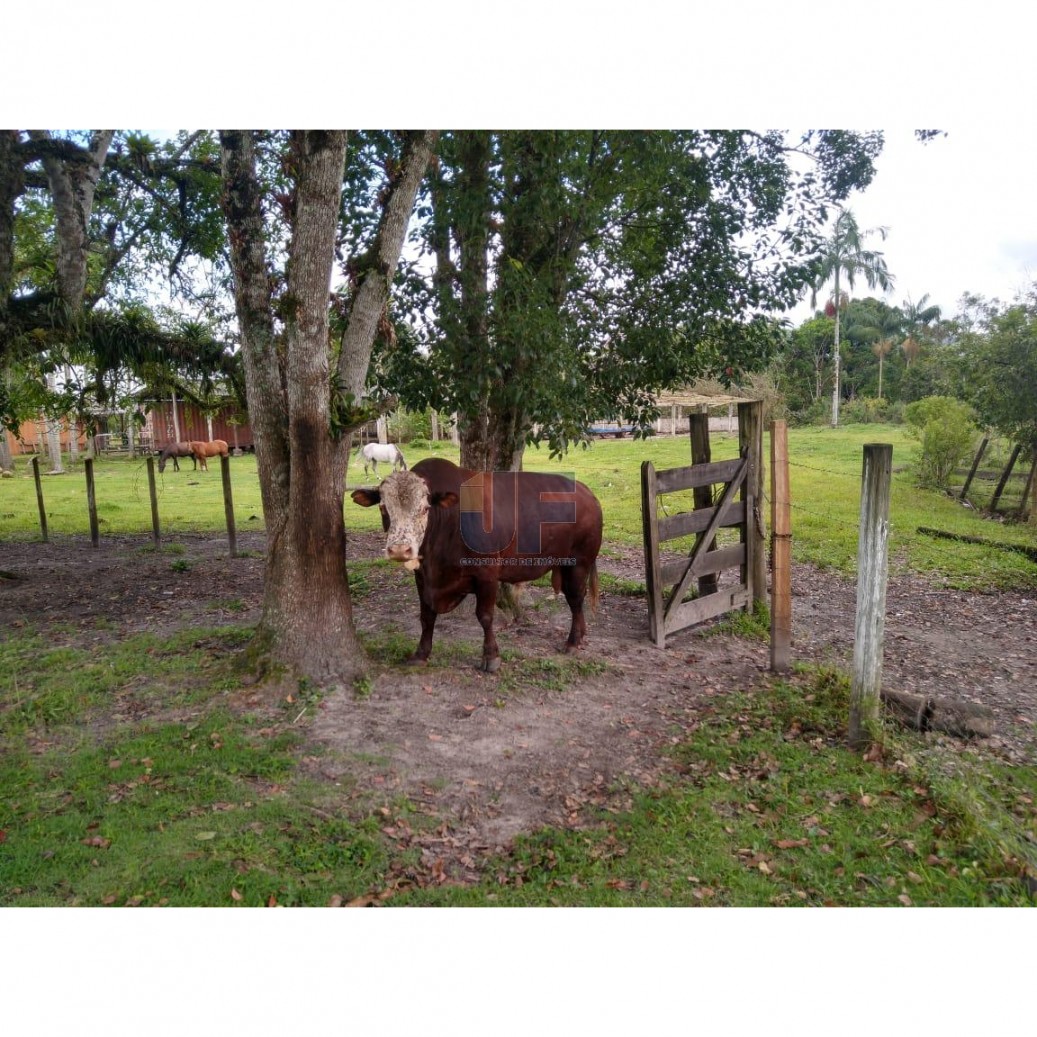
pixel 769 809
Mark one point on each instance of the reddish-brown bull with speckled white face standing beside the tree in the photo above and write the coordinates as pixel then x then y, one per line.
pixel 465 532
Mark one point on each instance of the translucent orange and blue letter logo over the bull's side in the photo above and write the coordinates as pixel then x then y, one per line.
pixel 498 510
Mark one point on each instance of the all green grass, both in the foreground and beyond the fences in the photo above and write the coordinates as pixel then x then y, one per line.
pixel 99 808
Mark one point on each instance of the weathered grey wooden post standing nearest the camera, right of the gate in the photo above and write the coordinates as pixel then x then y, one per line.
pixel 872 571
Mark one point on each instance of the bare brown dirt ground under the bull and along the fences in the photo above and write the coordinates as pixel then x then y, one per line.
pixel 550 740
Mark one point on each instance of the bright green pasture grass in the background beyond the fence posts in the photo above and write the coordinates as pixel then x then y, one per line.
pixel 826 485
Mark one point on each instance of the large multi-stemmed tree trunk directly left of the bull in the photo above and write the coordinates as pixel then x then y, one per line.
pixel 307 620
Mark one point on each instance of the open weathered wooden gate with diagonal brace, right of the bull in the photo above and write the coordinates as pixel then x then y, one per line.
pixel 668 612
